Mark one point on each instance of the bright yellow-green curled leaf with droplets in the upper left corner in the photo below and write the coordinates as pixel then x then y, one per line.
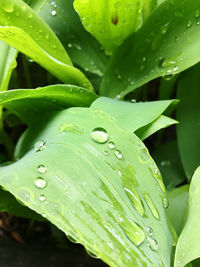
pixel 23 29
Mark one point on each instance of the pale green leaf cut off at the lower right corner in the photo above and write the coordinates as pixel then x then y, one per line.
pixel 188 243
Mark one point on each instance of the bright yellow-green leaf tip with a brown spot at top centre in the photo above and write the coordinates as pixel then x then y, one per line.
pixel 110 21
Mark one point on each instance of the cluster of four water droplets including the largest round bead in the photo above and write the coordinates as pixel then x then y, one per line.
pixel 100 135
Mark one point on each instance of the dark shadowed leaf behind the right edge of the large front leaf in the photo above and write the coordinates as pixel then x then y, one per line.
pixel 168 160
